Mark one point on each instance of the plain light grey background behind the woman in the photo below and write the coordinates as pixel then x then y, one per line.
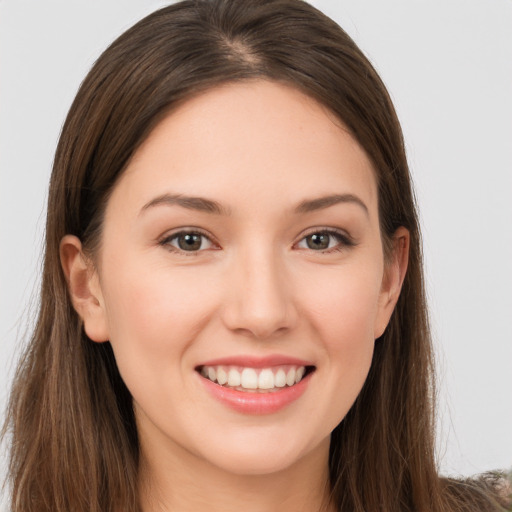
pixel 448 66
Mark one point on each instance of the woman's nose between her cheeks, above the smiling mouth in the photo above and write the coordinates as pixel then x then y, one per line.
pixel 259 299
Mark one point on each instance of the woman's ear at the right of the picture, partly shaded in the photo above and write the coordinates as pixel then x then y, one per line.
pixel 394 275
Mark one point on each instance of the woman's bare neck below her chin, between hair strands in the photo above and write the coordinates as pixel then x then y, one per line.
pixel 182 482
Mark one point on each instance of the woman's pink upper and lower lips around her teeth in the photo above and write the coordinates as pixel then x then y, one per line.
pixel 256 402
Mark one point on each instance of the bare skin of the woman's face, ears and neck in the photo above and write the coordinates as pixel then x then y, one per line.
pixel 254 288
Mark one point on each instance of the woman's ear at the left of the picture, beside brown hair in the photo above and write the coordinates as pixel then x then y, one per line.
pixel 84 288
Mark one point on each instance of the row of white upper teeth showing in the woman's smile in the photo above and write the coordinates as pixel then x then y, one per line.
pixel 253 378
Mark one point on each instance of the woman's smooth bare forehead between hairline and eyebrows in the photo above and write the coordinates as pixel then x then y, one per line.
pixel 250 139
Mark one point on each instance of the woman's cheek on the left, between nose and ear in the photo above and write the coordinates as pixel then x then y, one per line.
pixel 153 314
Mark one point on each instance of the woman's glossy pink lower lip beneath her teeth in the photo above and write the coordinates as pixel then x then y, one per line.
pixel 257 403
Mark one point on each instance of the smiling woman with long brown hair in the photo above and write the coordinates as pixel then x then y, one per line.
pixel 233 310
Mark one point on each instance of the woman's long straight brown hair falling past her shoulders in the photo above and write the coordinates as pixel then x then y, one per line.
pixel 74 440
